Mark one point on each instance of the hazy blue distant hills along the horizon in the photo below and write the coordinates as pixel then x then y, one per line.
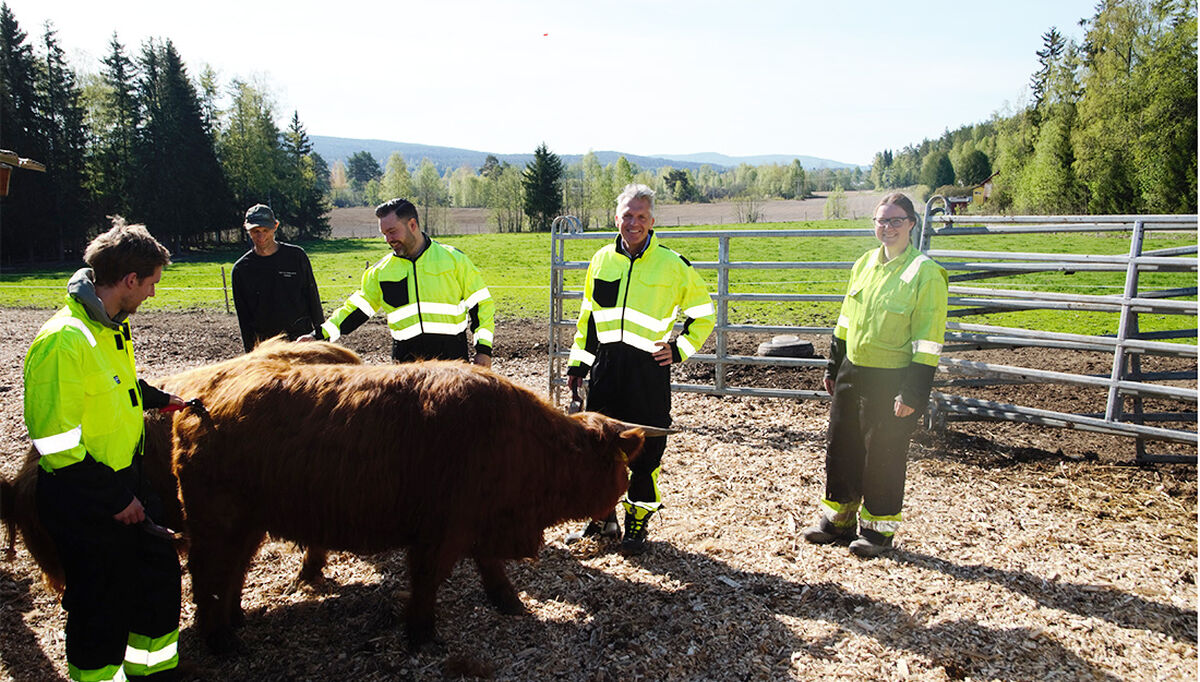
pixel 448 158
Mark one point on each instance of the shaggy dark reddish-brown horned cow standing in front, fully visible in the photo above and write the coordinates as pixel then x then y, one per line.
pixel 447 459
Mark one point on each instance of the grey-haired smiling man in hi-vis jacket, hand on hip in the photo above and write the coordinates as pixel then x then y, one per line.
pixel 634 290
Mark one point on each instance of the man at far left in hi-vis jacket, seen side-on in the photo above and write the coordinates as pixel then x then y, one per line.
pixel 83 410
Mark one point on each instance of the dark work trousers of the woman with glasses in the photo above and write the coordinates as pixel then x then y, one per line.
pixel 868 445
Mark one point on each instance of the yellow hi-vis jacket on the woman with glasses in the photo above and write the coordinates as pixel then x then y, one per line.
pixel 895 316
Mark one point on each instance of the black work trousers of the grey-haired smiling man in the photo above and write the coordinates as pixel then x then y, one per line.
pixel 629 385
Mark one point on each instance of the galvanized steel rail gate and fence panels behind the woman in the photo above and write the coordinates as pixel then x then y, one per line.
pixel 1127 345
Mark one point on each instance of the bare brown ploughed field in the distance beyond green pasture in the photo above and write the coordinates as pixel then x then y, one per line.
pixel 361 222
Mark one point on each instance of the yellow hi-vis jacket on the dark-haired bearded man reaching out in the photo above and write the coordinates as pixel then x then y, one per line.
pixel 440 292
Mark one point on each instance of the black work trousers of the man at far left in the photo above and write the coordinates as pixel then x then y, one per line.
pixel 119 579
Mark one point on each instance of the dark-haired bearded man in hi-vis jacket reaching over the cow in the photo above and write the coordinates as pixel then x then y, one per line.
pixel 431 294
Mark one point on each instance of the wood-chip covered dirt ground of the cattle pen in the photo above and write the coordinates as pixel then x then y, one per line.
pixel 1027 554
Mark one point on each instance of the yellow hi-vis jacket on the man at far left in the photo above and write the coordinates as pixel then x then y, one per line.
pixel 82 394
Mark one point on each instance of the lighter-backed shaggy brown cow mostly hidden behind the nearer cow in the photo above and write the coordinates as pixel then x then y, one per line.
pixel 19 504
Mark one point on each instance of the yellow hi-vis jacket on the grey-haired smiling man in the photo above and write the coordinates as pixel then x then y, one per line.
pixel 635 302
